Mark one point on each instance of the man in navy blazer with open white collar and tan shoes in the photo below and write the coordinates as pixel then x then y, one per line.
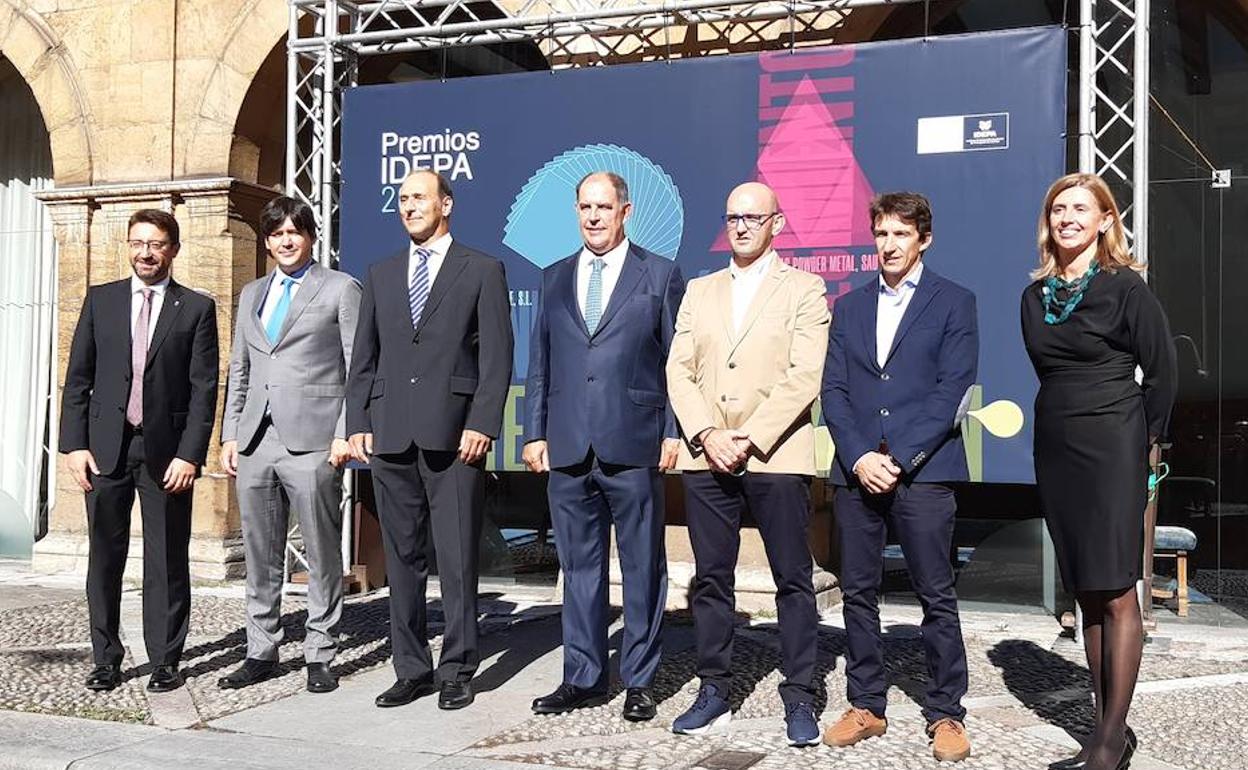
pixel 902 360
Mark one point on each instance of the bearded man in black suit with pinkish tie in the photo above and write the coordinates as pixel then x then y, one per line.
pixel 137 415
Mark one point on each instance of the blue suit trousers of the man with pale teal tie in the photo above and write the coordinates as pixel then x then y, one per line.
pixel 586 500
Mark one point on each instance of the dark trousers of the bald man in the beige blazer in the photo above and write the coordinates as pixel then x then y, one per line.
pixel 781 504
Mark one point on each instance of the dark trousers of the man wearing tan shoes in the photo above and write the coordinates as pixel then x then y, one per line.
pixel 923 519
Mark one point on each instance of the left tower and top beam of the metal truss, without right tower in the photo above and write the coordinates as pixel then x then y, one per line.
pixel 328 41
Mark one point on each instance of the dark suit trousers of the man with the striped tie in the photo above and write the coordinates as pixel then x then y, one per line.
pixel 422 494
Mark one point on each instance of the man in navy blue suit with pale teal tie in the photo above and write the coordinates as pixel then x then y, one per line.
pixel 597 417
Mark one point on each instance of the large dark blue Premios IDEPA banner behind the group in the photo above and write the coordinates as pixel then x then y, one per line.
pixel 975 123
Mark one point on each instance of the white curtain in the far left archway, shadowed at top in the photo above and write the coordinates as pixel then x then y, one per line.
pixel 28 316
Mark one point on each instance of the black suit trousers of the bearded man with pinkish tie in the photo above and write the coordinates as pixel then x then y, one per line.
pixel 167 570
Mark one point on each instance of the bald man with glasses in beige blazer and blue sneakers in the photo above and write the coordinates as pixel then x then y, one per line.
pixel 743 373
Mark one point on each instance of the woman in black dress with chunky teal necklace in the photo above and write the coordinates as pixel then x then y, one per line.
pixel 1089 320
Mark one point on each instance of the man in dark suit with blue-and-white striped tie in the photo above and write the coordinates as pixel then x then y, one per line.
pixel 430 373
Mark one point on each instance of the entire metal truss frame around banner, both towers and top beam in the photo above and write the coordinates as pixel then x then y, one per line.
pixel 329 39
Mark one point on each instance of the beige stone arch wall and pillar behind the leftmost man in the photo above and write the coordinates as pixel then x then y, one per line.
pixel 143 104
